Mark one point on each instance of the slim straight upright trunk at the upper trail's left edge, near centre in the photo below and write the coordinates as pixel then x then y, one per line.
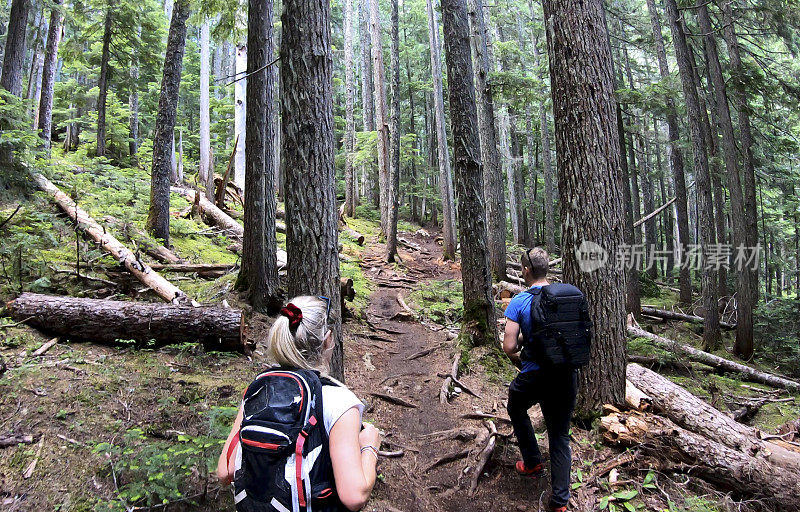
pixel 394 165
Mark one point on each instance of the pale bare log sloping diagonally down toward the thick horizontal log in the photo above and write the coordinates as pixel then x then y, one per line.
pixel 83 222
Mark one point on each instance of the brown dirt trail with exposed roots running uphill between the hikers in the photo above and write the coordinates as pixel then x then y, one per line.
pixel 378 362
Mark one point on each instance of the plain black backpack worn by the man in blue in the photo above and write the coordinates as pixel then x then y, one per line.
pixel 561 327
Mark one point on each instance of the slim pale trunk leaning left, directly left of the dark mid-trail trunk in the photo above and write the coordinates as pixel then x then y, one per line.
pixel 445 178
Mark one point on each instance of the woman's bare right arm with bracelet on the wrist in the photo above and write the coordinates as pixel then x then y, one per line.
pixel 353 470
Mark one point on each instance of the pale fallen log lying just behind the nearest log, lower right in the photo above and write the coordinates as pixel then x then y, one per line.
pixel 700 417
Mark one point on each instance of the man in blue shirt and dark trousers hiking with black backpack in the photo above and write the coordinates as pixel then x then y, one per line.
pixel 556 330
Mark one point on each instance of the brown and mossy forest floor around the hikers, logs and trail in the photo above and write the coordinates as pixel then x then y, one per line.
pixel 121 427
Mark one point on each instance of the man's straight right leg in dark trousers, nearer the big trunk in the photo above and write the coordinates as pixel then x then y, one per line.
pixel 557 411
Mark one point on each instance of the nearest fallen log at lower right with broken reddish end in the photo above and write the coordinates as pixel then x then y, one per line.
pixel 730 469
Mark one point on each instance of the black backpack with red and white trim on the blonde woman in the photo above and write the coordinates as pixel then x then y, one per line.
pixel 283 463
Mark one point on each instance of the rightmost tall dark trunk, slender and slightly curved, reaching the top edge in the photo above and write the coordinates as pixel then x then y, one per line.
pixel 742 107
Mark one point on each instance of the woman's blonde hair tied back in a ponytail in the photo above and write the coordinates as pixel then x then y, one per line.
pixel 304 348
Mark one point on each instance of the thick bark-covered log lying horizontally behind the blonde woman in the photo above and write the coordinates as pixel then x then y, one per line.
pixel 108 321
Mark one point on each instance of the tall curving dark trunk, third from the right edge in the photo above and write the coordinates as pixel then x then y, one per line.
pixel 711 333
